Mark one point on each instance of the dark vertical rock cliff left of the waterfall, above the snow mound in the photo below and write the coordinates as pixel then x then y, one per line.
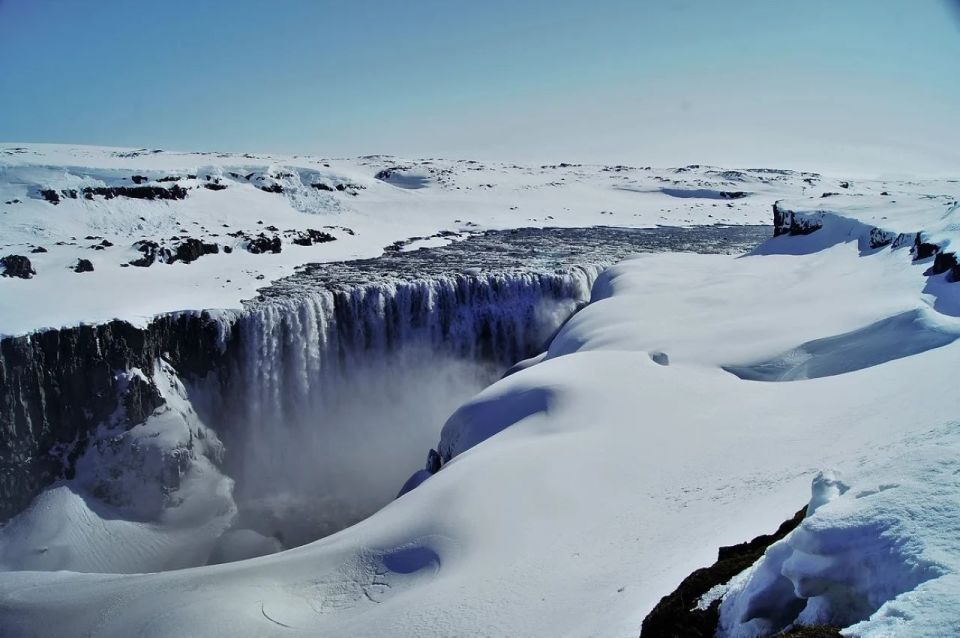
pixel 57 386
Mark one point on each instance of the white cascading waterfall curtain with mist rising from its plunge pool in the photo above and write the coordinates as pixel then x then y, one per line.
pixel 330 399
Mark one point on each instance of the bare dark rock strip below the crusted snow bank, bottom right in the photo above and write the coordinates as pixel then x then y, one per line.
pixel 675 616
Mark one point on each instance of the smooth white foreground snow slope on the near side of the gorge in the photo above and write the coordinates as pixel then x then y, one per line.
pixel 580 489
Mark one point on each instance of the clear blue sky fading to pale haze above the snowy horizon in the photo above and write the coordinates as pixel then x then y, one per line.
pixel 862 85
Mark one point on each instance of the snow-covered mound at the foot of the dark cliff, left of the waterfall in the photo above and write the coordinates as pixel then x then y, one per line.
pixel 133 524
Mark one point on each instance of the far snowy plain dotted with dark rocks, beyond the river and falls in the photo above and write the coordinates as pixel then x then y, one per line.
pixel 230 201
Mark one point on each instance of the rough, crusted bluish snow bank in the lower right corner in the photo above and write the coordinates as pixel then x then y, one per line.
pixel 877 554
